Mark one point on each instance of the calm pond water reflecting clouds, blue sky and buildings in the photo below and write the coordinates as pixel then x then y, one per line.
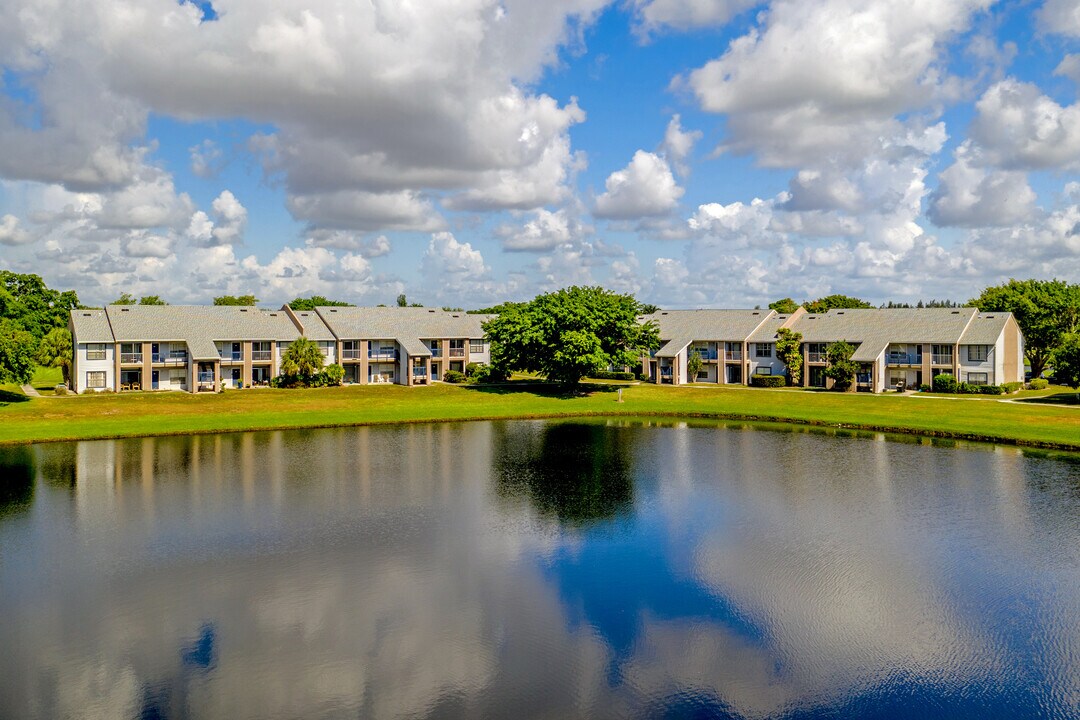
pixel 538 570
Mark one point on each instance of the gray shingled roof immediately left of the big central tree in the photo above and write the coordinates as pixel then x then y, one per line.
pixel 396 323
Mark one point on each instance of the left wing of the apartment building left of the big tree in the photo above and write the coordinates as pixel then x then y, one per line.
pixel 190 348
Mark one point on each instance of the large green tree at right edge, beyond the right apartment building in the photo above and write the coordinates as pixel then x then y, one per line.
pixel 1046 310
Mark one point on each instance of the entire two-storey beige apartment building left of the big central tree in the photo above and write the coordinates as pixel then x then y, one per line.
pixel 208 348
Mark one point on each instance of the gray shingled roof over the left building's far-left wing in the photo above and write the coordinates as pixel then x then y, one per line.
pixel 200 327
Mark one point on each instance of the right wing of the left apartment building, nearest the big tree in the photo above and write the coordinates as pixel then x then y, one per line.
pixel 404 346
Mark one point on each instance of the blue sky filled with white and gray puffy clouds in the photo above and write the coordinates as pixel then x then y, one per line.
pixel 694 153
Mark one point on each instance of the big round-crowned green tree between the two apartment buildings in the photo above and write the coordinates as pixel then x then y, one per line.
pixel 571 333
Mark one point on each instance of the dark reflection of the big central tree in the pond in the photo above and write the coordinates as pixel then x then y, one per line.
pixel 575 473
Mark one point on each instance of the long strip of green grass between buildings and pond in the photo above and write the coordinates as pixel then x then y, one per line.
pixel 164 414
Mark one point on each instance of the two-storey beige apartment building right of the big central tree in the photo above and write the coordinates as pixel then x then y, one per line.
pixel 894 348
